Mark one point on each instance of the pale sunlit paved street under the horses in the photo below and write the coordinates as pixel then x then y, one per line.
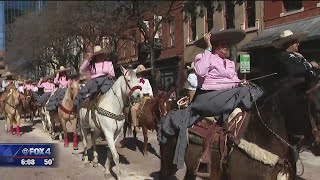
pixel 133 164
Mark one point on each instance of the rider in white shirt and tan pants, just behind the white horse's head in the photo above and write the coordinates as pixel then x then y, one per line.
pixel 146 92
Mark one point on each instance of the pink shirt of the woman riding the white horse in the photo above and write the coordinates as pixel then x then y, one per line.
pixel 102 69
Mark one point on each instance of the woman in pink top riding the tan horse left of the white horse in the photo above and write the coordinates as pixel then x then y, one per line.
pixel 61 80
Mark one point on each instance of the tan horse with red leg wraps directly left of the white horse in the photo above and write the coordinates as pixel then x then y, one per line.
pixel 66 113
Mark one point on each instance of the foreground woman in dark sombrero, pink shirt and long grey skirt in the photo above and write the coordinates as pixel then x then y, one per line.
pixel 219 90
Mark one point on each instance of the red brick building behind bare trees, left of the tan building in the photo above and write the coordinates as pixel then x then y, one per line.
pixel 169 53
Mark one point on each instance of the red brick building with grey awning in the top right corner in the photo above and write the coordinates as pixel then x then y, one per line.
pixel 297 16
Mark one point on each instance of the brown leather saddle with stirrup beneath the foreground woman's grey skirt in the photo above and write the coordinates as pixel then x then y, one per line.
pixel 211 135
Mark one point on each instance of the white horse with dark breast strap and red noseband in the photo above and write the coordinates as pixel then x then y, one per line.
pixel 109 114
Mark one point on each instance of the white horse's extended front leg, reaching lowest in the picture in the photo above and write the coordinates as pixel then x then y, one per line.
pixel 112 146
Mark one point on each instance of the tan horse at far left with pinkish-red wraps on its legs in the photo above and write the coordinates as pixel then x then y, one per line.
pixel 12 109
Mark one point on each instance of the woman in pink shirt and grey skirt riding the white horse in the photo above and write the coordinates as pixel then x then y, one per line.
pixel 102 73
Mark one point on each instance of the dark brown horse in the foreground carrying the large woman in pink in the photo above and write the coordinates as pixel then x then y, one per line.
pixel 265 125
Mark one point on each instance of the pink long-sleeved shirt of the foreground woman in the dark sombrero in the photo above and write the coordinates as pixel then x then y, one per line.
pixel 213 74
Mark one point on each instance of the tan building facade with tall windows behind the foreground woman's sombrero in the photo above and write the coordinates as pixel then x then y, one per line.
pixel 247 16
